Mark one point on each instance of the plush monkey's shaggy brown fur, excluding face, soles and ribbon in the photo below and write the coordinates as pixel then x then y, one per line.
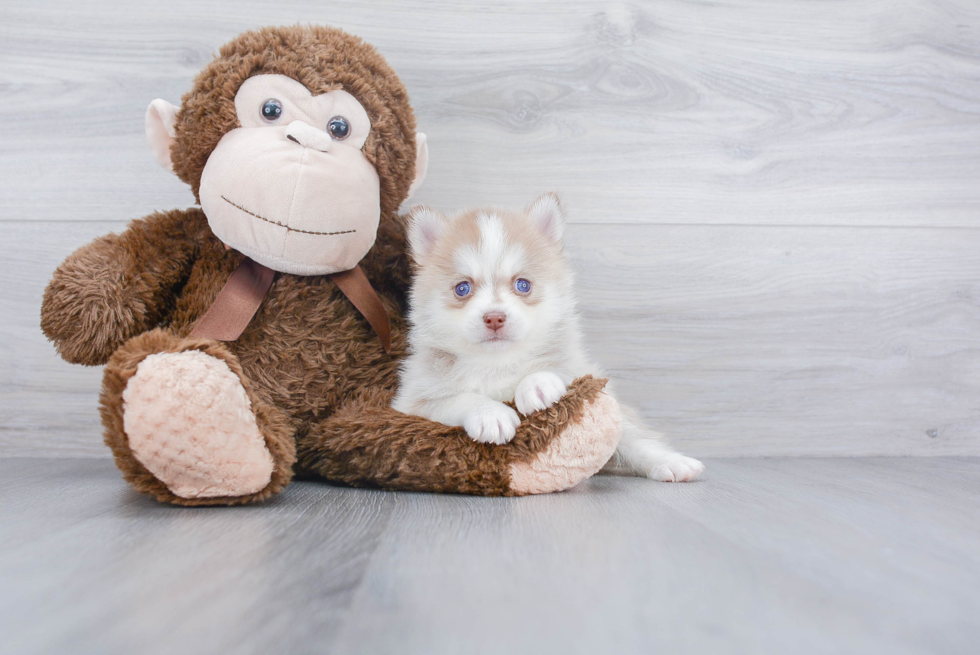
pixel 315 372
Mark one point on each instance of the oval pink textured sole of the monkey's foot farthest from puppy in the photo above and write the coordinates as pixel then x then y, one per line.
pixel 191 424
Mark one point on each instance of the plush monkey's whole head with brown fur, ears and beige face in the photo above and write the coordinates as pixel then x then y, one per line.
pixel 296 175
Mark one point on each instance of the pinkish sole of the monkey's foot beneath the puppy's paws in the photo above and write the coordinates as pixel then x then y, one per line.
pixel 582 448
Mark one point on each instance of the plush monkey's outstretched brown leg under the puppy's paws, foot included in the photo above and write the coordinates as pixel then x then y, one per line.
pixel 366 443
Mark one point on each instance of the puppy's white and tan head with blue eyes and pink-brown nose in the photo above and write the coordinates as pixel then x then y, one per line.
pixel 490 280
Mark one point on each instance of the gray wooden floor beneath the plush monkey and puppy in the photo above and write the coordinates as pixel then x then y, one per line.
pixel 764 555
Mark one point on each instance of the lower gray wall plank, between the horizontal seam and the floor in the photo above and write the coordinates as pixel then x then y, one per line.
pixel 733 340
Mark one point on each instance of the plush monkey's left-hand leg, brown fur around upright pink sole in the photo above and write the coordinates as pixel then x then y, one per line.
pixel 185 425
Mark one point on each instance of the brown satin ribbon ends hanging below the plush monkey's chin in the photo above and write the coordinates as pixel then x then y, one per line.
pixel 243 293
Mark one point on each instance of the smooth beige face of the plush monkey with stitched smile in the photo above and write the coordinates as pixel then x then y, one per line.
pixel 291 188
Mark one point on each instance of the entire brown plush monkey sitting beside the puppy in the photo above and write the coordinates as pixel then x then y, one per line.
pixel 235 337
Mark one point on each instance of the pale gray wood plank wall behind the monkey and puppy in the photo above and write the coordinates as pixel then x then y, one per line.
pixel 774 202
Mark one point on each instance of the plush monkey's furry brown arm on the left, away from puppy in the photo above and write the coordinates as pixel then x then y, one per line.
pixel 119 285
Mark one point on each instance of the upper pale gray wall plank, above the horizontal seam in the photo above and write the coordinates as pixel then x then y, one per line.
pixel 749 112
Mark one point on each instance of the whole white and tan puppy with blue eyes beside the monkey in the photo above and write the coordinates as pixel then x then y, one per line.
pixel 493 319
